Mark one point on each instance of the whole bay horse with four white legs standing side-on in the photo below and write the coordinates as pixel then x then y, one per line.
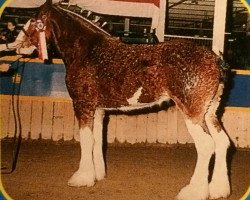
pixel 103 73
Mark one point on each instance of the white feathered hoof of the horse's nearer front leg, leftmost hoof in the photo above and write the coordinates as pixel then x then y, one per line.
pixel 80 178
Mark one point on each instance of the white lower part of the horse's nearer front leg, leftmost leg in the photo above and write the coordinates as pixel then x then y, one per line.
pixel 85 175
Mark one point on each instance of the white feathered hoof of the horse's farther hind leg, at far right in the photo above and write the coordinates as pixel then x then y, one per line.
pixel 219 189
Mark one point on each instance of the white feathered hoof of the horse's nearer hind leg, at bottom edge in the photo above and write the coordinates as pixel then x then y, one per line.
pixel 193 192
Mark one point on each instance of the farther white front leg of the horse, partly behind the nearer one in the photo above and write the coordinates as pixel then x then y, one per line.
pixel 98 141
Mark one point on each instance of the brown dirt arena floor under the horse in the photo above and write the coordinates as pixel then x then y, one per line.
pixel 134 172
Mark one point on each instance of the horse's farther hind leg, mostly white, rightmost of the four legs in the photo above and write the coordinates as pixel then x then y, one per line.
pixel 219 186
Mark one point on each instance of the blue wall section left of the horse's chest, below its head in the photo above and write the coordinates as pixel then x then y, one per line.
pixel 38 80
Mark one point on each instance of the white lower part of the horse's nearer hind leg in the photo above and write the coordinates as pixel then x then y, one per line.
pixel 198 189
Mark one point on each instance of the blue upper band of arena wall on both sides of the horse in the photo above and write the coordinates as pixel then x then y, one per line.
pixel 48 80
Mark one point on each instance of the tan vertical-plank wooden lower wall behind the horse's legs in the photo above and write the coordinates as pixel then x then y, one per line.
pixel 52 118
